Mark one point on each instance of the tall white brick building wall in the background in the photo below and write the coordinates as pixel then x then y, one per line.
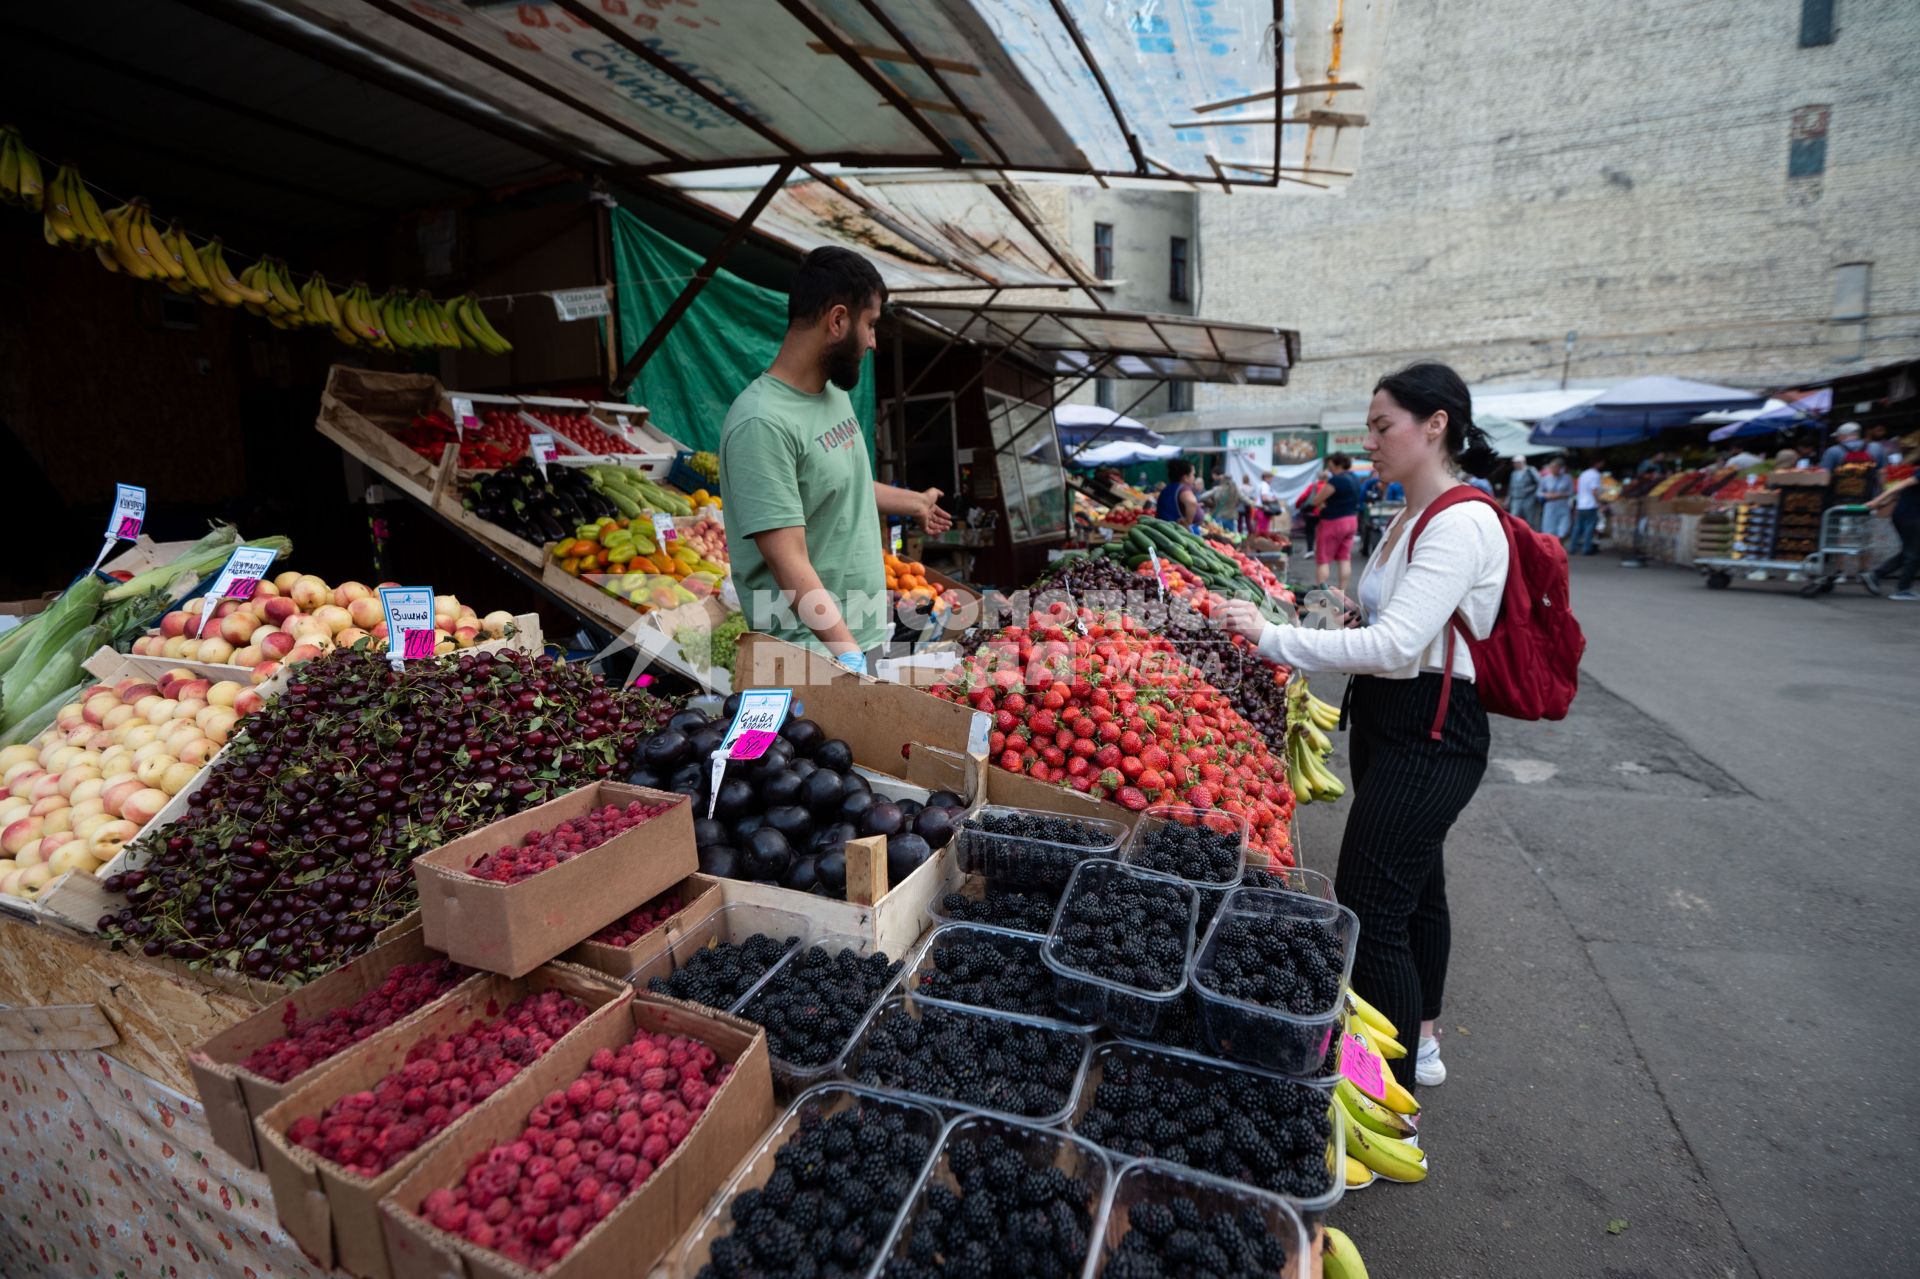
pixel 1614 168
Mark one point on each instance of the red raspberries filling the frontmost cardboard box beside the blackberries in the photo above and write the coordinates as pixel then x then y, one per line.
pixel 583 1151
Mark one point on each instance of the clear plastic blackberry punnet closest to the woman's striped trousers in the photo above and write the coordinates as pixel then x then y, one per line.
pixel 1257 1034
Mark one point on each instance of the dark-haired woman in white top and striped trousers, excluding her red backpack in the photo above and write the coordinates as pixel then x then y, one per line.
pixel 1408 786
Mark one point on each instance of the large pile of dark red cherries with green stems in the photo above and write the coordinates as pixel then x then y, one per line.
pixel 297 850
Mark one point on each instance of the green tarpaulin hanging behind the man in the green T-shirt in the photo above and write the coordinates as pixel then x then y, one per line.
pixel 725 341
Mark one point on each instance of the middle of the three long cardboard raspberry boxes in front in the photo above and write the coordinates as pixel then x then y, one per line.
pixel 335 1215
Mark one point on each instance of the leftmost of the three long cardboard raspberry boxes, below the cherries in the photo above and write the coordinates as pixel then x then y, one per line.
pixel 233 1096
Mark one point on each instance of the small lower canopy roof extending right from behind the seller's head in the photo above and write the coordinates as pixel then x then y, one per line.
pixel 1070 343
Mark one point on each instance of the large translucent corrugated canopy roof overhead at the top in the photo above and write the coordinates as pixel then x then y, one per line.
pixel 646 87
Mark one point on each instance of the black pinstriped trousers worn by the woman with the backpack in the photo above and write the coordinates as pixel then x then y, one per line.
pixel 1408 790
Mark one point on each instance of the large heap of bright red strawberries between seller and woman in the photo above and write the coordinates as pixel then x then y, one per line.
pixel 1101 704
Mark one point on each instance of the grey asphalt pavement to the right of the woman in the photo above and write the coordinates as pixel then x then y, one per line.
pixel 1683 996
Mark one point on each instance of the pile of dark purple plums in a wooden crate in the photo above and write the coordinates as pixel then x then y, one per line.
pixel 786 817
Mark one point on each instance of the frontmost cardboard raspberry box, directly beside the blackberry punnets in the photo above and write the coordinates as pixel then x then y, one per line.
pixel 638 1234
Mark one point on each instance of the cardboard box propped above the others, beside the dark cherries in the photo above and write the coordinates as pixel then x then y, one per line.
pixel 514 929
